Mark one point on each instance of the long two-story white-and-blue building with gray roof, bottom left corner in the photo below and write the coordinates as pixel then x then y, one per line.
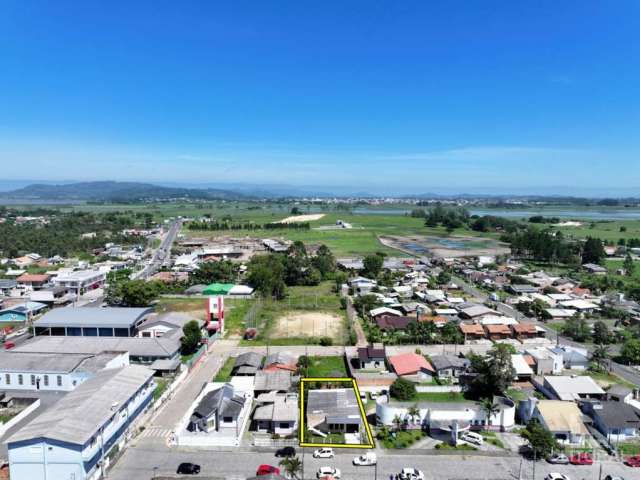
pixel 73 439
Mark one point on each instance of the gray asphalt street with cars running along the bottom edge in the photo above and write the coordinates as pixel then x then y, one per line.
pixel 139 463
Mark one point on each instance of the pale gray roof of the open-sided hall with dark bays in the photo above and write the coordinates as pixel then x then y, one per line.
pixel 93 317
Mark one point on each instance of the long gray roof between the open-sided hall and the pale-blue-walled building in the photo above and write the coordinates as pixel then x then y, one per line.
pixel 162 347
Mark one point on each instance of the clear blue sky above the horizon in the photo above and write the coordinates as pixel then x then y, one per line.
pixel 412 96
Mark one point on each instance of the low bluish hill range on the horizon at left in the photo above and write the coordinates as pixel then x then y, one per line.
pixel 116 191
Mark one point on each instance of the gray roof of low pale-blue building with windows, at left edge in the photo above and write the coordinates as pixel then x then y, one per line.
pixel 19 362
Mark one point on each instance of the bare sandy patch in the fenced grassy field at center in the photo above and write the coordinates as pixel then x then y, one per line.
pixel 308 324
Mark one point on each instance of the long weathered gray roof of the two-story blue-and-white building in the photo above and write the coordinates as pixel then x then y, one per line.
pixel 80 414
